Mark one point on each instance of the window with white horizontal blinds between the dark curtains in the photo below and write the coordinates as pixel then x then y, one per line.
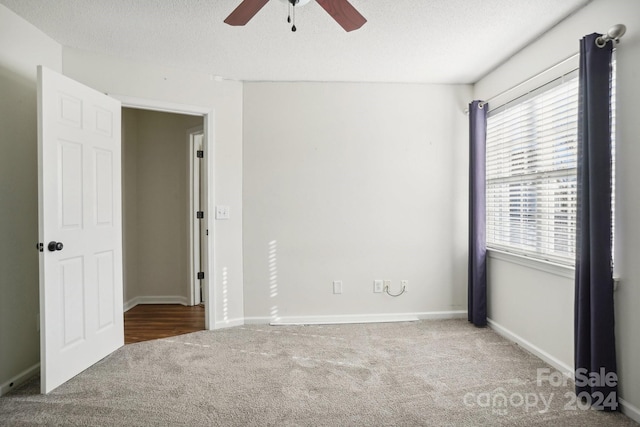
pixel 531 172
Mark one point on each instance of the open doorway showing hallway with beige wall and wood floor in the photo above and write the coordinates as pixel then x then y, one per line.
pixel 160 260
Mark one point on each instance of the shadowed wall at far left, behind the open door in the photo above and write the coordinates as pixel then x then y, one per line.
pixel 22 48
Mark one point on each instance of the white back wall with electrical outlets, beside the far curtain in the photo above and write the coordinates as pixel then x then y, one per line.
pixel 354 182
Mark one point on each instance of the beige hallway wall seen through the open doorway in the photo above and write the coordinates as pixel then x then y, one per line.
pixel 156 192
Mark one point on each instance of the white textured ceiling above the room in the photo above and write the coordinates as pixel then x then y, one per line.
pixel 432 41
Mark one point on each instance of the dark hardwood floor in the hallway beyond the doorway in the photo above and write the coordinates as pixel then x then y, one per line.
pixel 151 321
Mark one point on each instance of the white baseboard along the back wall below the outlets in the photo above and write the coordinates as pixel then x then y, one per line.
pixel 354 318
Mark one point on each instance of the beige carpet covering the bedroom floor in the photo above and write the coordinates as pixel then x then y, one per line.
pixel 444 373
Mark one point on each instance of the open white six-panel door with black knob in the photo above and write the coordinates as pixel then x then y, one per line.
pixel 80 227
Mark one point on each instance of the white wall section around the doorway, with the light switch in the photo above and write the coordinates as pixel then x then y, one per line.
pixel 148 81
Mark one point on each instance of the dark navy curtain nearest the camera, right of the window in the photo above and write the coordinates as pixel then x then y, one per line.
pixel 595 347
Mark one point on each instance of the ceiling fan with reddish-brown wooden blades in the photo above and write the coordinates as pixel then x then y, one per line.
pixel 341 10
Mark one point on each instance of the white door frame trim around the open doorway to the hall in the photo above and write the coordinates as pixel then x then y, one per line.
pixel 208 189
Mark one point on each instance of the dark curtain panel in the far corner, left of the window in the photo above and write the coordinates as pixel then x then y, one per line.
pixel 477 294
